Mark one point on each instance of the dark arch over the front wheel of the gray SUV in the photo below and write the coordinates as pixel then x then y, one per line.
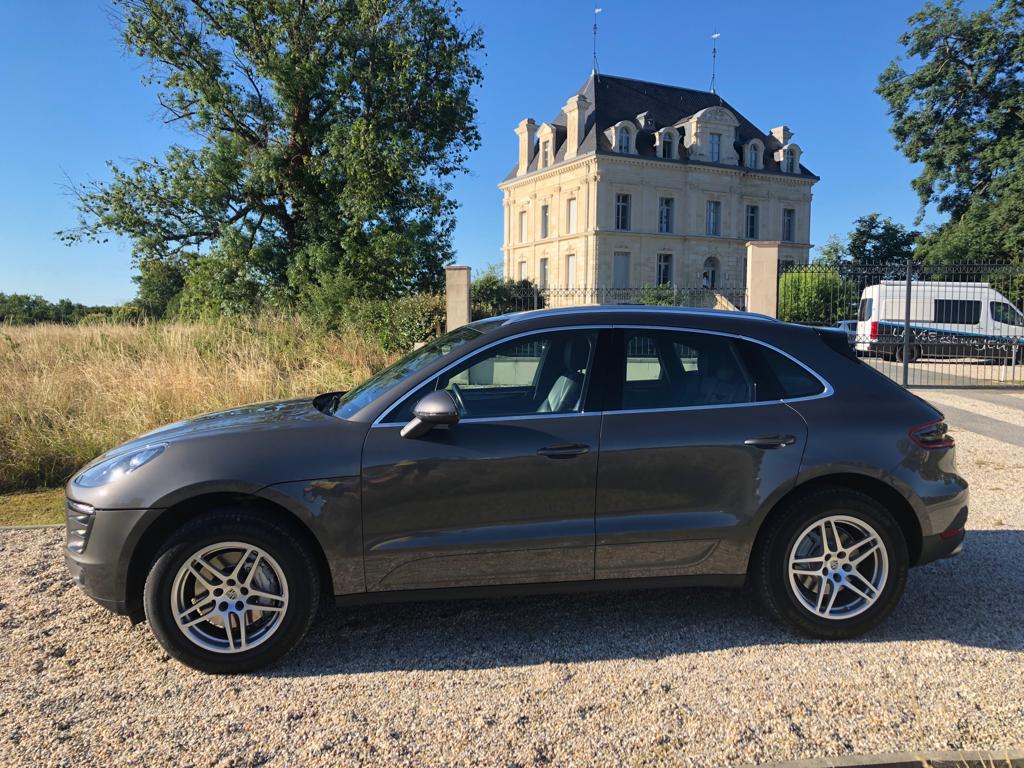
pixel 186 510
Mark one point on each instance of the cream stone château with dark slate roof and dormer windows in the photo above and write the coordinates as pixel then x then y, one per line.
pixel 641 185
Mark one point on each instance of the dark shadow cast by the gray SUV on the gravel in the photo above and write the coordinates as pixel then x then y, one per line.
pixel 976 600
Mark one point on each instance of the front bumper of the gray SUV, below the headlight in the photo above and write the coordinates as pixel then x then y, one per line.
pixel 100 564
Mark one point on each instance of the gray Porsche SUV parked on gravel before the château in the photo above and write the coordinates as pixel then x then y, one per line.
pixel 560 450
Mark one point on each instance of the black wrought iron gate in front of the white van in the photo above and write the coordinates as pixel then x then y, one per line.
pixel 924 326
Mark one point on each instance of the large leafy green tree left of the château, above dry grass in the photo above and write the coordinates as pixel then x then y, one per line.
pixel 324 135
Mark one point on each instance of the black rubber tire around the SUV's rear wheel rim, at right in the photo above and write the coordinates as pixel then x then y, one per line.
pixel 772 562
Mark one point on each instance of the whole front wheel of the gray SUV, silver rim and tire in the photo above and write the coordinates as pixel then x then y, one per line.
pixel 231 592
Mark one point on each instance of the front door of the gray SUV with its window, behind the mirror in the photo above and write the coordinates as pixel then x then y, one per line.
pixel 506 496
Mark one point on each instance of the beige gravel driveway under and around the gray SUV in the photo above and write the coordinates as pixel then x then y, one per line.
pixel 676 678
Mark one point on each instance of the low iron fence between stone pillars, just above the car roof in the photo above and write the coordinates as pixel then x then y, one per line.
pixel 518 297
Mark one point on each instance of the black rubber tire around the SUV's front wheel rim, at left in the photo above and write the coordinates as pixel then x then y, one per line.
pixel 279 541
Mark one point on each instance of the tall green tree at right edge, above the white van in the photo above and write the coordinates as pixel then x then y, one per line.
pixel 960 113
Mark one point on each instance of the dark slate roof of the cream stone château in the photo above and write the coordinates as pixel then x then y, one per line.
pixel 613 99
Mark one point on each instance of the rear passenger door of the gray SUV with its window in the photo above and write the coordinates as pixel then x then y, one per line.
pixel 696 440
